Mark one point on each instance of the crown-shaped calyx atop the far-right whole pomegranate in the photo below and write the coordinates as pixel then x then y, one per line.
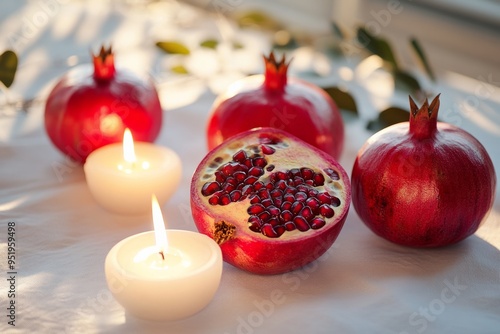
pixel 423 120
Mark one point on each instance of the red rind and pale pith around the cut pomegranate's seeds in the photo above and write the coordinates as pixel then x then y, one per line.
pixel 251 251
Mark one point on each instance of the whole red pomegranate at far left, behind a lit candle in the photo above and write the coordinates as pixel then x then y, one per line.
pixel 85 111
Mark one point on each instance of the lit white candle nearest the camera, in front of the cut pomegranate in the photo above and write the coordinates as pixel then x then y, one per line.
pixel 164 275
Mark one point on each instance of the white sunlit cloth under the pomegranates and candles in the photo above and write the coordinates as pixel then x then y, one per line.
pixel 363 284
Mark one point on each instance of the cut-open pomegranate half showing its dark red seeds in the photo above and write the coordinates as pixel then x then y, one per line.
pixel 271 201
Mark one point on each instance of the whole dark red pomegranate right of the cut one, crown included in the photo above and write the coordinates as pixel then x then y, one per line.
pixel 423 183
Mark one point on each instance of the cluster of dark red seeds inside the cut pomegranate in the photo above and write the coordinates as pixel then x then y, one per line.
pixel 287 201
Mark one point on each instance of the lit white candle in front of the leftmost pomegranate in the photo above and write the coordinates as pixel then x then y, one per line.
pixel 122 177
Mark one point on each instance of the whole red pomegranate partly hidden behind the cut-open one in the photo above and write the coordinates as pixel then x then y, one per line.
pixel 273 100
